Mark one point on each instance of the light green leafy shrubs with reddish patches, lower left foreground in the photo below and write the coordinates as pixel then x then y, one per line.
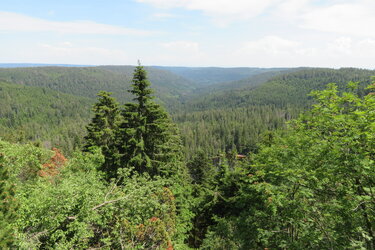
pixel 78 209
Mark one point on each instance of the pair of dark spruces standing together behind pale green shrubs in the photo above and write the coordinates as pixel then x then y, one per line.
pixel 141 140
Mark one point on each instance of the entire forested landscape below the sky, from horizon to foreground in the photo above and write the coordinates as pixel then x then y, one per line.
pixel 124 157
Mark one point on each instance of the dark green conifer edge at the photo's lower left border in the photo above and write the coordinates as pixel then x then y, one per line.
pixel 8 207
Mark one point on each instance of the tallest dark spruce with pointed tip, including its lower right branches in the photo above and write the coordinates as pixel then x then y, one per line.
pixel 149 143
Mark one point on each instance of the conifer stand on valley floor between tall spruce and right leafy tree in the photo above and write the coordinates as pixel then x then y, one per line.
pixel 220 130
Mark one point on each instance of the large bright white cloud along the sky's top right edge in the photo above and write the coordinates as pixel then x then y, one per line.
pixel 348 17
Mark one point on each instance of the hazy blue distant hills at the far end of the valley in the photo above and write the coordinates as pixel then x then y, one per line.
pixel 206 76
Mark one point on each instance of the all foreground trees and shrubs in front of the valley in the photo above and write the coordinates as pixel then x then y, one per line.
pixel 308 186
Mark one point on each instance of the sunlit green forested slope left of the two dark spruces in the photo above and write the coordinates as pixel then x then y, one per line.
pixel 44 116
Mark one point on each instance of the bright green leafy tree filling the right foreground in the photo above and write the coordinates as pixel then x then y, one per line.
pixel 312 188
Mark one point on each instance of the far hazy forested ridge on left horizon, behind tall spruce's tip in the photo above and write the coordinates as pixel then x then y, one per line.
pixel 88 81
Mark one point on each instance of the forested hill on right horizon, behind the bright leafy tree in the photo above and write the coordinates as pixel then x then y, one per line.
pixel 283 90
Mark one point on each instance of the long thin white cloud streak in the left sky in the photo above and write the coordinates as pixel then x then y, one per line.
pixel 21 23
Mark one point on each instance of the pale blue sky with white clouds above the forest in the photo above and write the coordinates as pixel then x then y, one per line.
pixel 222 33
